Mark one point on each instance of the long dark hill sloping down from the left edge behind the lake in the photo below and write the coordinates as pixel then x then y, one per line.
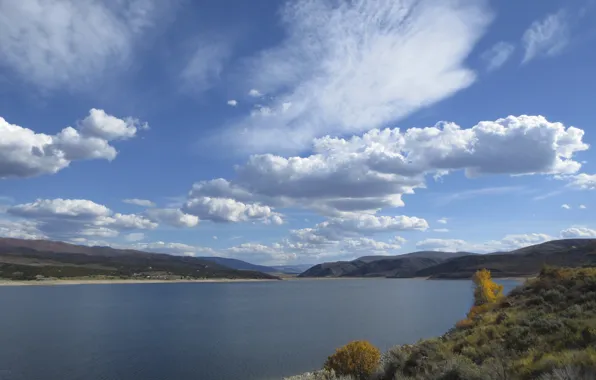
pixel 25 259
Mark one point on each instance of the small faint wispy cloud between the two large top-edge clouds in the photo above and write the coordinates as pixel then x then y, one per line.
pixel 206 64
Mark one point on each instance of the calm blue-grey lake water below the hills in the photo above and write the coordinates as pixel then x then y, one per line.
pixel 213 331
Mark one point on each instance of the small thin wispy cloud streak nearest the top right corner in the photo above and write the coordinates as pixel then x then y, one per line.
pixel 547 37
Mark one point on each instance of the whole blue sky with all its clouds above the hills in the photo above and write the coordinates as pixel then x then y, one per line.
pixel 298 132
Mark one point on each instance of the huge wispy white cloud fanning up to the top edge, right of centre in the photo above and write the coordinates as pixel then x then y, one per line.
pixel 337 54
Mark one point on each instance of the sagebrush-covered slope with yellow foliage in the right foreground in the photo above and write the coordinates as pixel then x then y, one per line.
pixel 544 329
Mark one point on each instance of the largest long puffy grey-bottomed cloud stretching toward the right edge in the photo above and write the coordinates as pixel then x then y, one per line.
pixel 370 172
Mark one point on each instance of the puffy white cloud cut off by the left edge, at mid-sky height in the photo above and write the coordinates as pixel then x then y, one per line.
pixel 25 153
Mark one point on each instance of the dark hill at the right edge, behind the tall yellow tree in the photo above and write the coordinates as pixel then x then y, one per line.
pixel 521 262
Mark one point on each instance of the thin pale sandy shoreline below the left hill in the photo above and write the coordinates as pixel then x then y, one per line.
pixel 108 282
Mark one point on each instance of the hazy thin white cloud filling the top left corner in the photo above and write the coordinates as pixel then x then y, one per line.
pixel 70 43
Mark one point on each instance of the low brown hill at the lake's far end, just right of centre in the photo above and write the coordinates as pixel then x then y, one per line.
pixel 382 266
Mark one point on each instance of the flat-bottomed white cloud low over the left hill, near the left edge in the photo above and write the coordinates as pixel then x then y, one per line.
pixel 67 218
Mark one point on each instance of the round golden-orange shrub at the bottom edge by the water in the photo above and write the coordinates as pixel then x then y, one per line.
pixel 358 358
